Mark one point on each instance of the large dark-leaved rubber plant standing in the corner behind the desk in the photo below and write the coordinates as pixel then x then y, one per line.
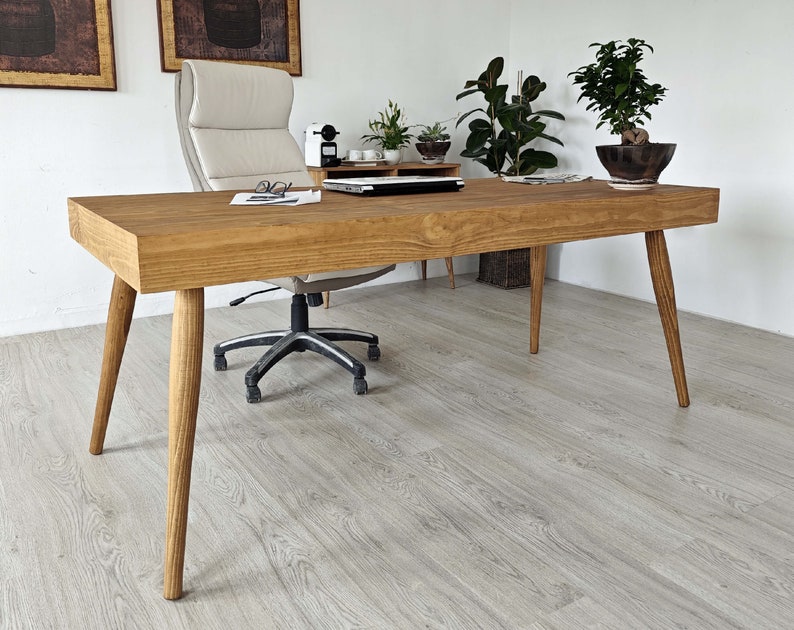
pixel 499 137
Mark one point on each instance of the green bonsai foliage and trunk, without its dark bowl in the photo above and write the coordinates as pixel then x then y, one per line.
pixel 618 90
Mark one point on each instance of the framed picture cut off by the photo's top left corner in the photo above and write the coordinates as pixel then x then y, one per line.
pixel 57 44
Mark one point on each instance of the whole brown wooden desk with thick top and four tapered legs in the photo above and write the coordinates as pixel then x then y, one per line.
pixel 184 242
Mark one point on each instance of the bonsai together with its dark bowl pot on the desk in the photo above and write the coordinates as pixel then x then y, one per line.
pixel 622 96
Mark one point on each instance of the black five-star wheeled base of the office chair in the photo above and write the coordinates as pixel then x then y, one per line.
pixel 299 338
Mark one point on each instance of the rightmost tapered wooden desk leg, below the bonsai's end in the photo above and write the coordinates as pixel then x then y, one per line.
pixel 662 278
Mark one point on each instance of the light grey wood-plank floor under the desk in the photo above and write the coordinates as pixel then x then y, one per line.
pixel 475 486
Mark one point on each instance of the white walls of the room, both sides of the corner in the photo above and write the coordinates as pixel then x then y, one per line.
pixel 728 109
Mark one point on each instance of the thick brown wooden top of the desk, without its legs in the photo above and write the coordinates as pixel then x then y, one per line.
pixel 160 242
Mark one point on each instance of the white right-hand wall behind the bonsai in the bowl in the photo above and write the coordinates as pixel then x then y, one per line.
pixel 727 66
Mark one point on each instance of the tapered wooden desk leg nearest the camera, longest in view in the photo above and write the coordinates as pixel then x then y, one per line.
pixel 184 382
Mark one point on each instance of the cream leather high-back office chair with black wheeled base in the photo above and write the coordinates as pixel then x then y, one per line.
pixel 232 121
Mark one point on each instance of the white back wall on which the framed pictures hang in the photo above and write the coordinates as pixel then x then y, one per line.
pixel 56 144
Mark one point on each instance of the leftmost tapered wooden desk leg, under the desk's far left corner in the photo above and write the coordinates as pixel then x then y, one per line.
pixel 122 303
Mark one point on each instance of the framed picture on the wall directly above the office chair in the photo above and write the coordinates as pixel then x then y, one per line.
pixel 261 32
